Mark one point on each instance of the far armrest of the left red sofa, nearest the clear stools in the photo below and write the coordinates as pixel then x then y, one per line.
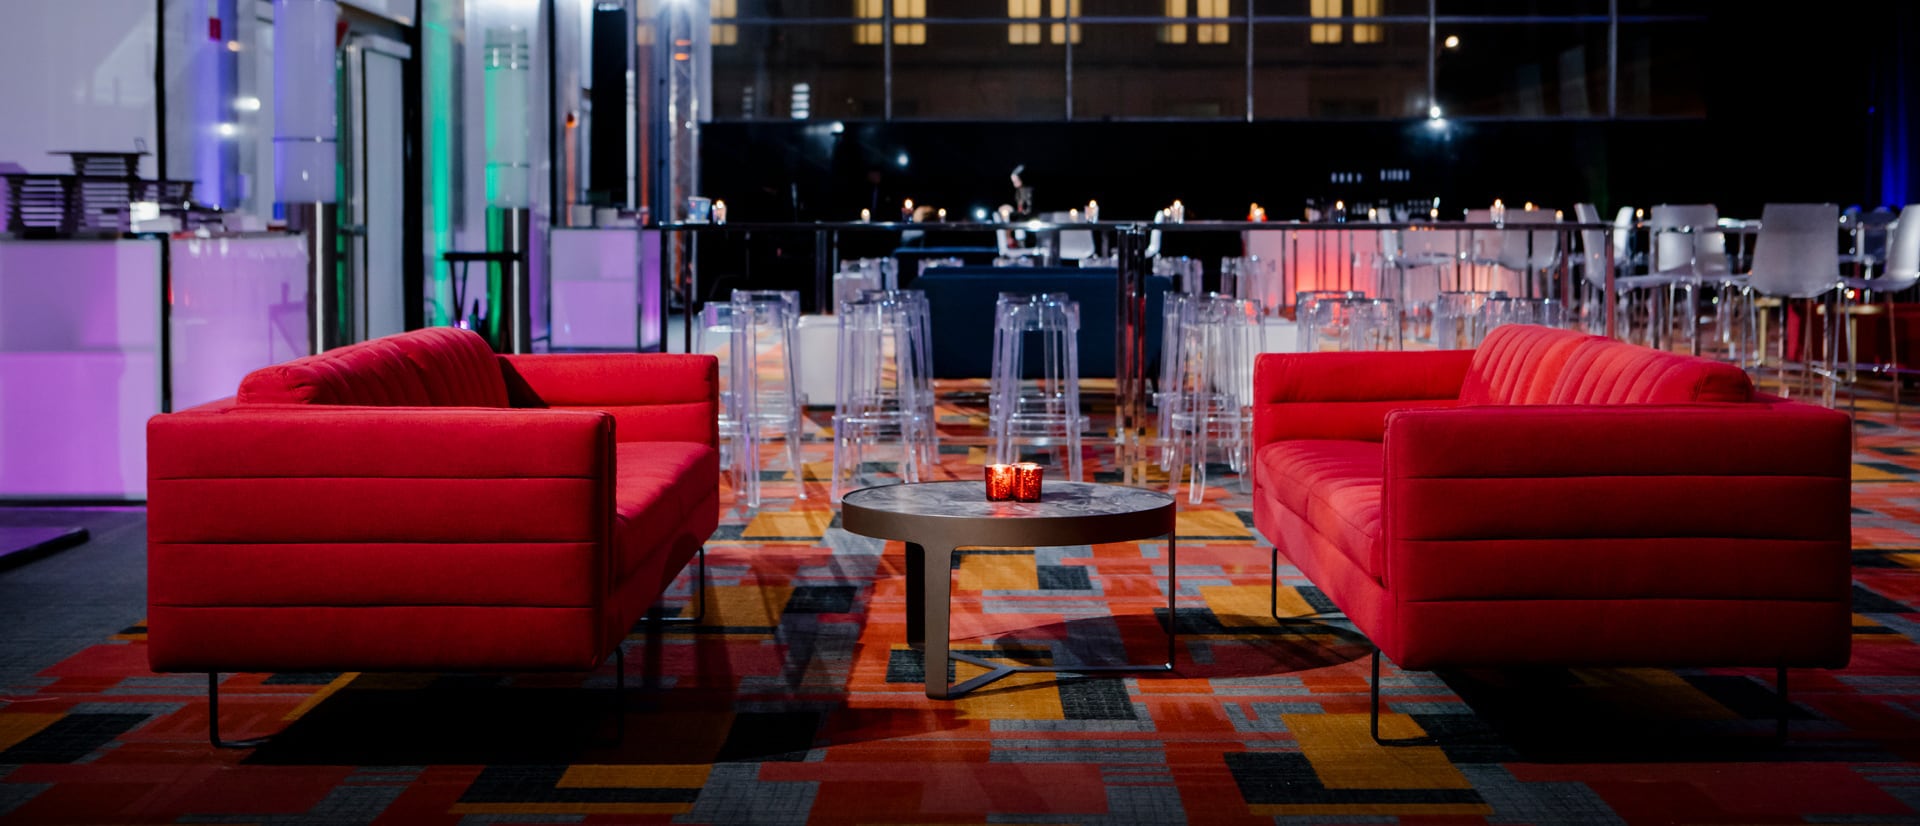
pixel 652 397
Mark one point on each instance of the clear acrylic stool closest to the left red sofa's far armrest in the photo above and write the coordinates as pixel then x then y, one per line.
pixel 759 397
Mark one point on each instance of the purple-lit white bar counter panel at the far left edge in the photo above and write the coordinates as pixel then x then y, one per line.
pixel 80 328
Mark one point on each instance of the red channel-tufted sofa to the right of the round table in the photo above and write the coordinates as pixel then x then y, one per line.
pixel 1556 498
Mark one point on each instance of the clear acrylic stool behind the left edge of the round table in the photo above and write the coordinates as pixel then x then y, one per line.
pixel 884 385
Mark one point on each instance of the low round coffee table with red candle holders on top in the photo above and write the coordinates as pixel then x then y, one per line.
pixel 938 518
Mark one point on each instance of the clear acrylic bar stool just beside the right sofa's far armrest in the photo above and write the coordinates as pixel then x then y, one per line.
pixel 1209 387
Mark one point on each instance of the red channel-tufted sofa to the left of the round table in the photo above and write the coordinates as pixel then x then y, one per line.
pixel 423 504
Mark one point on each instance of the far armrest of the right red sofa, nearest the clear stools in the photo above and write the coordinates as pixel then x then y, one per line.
pixel 1349 395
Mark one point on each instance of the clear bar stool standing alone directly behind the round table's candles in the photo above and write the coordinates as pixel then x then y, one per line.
pixel 1045 410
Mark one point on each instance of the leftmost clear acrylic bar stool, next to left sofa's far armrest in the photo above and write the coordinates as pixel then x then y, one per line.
pixel 769 322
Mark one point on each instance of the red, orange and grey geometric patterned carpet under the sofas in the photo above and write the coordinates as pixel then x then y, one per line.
pixel 798 704
